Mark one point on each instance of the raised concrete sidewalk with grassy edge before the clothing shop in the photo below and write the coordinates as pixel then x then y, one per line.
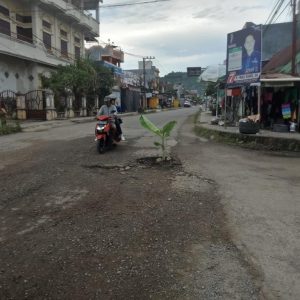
pixel 265 139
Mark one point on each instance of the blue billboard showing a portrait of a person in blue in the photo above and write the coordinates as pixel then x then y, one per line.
pixel 244 56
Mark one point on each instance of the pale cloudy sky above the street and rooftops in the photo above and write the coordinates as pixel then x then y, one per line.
pixel 179 34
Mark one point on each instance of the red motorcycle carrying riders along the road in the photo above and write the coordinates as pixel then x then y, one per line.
pixel 106 133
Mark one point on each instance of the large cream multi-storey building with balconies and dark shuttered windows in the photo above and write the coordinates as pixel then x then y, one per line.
pixel 38 35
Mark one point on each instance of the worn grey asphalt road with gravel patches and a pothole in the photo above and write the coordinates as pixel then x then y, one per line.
pixel 218 222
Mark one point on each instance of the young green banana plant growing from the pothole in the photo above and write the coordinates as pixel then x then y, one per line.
pixel 163 133
